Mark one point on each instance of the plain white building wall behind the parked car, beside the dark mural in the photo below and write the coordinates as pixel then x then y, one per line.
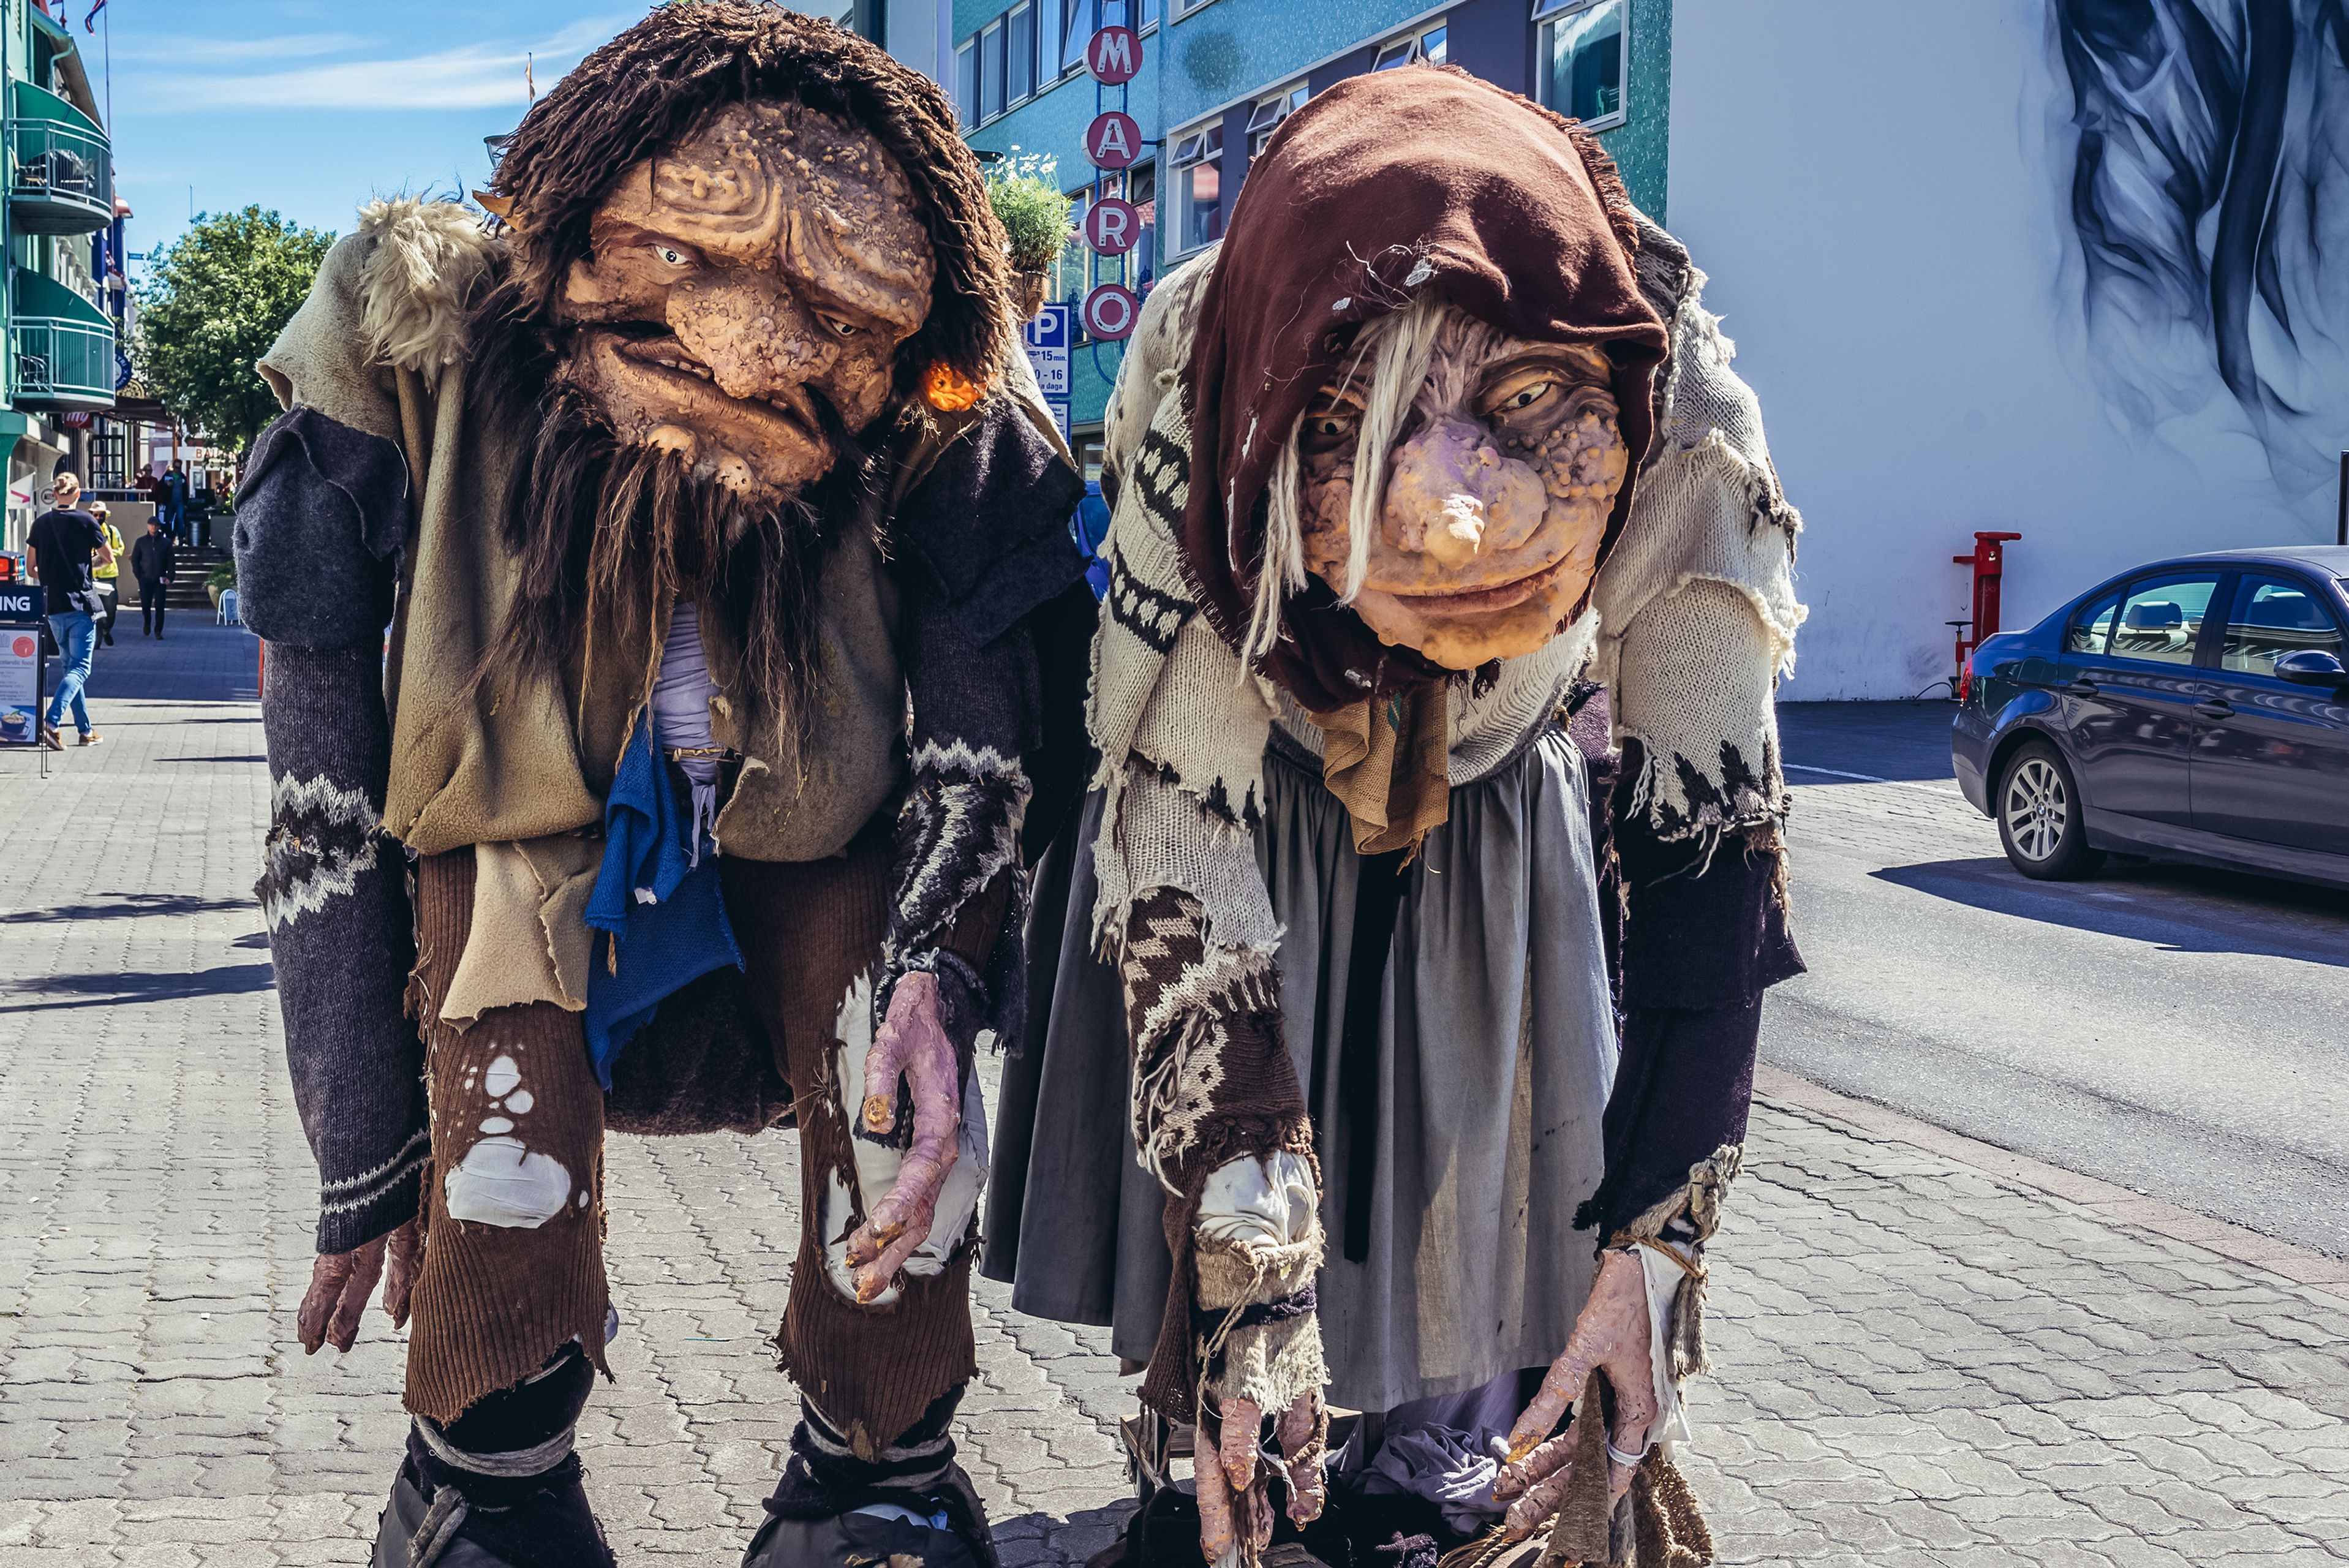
pixel 1880 196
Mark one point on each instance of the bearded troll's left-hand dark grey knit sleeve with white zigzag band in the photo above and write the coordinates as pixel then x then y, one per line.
pixel 318 534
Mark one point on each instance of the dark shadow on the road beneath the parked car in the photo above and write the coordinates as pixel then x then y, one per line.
pixel 2186 910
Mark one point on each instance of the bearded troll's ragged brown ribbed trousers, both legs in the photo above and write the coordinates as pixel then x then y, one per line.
pixel 492 1302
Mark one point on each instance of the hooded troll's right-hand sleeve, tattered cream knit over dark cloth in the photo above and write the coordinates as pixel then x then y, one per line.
pixel 1700 626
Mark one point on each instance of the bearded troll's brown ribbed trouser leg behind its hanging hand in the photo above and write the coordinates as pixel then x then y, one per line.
pixel 809 931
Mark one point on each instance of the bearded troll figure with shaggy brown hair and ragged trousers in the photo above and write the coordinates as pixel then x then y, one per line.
pixel 720 546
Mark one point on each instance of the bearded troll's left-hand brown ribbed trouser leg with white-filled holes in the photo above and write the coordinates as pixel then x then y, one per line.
pixel 494 1302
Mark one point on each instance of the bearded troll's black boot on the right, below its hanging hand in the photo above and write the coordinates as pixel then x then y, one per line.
pixel 835 1510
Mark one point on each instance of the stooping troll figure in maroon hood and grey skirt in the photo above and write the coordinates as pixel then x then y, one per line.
pixel 1432 452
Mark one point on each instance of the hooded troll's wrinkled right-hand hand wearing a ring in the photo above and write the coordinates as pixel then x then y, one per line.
pixel 1613 1337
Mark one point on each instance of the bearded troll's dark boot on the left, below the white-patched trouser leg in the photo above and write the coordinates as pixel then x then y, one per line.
pixel 499 1487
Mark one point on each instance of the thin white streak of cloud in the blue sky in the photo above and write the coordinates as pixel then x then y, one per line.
pixel 471 76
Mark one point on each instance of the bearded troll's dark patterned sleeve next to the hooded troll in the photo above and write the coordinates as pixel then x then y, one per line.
pixel 985 546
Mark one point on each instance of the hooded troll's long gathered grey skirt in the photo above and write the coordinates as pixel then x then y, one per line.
pixel 1495 1053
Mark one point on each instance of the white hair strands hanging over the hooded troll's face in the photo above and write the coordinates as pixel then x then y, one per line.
pixel 1392 356
